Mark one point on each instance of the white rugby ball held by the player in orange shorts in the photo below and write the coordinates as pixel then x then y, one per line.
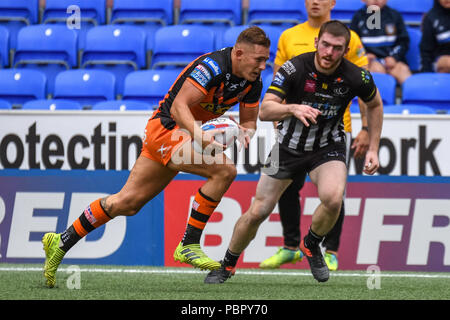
pixel 230 128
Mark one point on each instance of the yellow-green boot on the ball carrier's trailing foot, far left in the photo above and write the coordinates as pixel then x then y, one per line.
pixel 53 257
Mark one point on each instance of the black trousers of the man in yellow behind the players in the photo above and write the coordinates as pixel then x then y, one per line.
pixel 289 209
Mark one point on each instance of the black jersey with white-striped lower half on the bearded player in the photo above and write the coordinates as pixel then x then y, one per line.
pixel 299 82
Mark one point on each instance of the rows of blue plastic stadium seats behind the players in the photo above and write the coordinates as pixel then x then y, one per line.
pixel 118 45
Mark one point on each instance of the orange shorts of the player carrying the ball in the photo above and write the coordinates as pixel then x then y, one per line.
pixel 160 143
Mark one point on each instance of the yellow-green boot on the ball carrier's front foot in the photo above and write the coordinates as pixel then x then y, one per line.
pixel 193 255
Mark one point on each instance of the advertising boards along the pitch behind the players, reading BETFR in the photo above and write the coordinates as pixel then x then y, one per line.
pixel 54 164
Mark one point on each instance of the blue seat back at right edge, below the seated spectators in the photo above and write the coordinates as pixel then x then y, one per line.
pixel 430 89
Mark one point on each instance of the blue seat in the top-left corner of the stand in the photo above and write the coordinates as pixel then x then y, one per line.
pixel 15 14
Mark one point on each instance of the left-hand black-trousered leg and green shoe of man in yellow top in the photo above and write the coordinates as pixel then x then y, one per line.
pixel 289 210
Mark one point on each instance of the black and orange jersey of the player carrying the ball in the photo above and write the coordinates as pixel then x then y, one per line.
pixel 211 74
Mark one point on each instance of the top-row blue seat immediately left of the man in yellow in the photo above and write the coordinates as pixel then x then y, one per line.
pixel 281 12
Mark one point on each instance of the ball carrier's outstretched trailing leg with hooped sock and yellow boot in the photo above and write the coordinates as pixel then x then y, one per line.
pixel 146 180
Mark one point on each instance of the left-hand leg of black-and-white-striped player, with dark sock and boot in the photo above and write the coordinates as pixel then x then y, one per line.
pixel 268 192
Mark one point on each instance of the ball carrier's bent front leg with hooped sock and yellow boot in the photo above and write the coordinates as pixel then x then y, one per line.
pixel 220 173
